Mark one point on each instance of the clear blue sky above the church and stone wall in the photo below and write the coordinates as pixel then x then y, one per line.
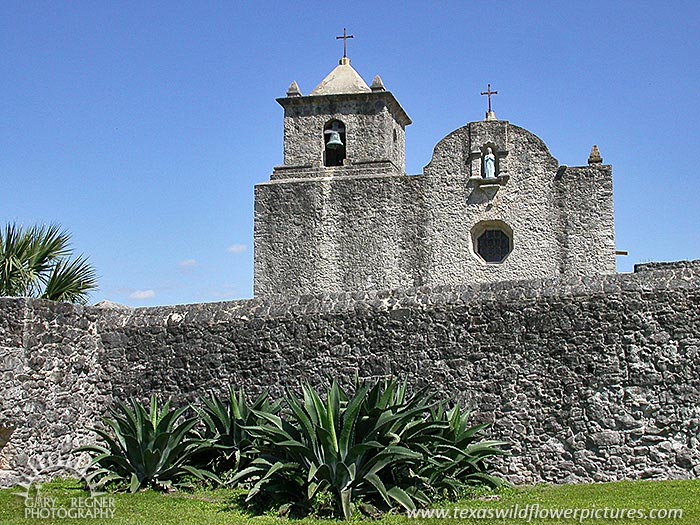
pixel 142 127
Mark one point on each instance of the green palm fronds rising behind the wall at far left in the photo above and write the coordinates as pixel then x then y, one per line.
pixel 36 262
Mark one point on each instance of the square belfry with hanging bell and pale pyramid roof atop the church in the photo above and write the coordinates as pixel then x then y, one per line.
pixel 343 127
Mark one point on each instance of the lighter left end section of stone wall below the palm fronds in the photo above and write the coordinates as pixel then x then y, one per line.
pixel 52 385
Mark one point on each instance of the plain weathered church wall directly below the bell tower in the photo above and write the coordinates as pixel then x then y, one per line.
pixel 332 235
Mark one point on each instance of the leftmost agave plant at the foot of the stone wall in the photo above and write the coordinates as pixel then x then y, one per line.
pixel 146 447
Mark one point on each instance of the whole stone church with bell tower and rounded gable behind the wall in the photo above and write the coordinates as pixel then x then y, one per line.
pixel 493 204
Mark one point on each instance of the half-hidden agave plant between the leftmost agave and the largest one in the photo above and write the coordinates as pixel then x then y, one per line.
pixel 225 427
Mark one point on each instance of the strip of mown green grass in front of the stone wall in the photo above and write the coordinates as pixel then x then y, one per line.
pixel 222 506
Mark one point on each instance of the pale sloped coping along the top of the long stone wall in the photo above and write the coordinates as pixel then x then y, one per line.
pixel 647 278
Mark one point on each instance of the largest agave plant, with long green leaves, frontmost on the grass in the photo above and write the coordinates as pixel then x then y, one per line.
pixel 345 446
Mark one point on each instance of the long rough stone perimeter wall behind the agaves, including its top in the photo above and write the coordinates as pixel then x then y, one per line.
pixel 591 378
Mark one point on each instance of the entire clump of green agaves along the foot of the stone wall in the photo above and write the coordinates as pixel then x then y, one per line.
pixel 380 448
